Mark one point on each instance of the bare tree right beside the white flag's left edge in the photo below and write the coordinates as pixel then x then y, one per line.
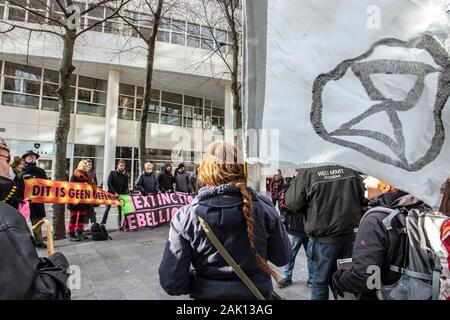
pixel 223 14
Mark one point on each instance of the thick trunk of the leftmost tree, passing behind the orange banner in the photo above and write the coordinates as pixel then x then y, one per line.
pixel 62 130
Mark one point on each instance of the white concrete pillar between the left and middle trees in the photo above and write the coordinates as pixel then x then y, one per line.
pixel 112 110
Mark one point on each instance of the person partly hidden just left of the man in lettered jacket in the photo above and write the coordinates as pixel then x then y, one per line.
pixel 296 232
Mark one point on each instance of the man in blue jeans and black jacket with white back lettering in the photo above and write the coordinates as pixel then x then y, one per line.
pixel 331 198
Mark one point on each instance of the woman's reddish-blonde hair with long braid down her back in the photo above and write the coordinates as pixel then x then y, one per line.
pixel 223 164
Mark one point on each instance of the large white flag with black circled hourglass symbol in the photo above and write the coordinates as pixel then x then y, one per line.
pixel 361 83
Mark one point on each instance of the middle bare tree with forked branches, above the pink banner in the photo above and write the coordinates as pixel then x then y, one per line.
pixel 157 9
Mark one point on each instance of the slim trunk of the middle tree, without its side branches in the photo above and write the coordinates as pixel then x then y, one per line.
pixel 148 85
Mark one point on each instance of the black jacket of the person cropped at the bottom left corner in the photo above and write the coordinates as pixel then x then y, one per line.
pixel 23 275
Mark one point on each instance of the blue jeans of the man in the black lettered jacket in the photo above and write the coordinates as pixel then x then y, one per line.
pixel 325 256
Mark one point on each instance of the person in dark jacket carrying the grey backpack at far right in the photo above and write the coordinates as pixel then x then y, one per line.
pixel 372 247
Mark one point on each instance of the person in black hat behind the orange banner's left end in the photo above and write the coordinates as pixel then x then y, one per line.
pixel 37 210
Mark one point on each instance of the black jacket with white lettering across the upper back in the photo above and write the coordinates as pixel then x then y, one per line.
pixel 331 198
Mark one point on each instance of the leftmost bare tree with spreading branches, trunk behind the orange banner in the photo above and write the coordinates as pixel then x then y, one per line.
pixel 61 18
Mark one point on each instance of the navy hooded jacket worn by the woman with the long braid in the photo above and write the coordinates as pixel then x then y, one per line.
pixel 211 277
